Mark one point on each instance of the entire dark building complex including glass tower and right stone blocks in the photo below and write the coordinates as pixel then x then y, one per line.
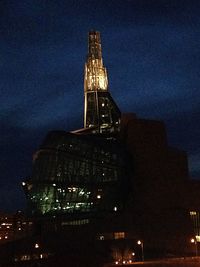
pixel 114 190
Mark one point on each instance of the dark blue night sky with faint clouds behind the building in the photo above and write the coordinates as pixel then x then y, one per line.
pixel 152 53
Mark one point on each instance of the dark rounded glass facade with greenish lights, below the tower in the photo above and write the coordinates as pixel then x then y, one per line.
pixel 76 174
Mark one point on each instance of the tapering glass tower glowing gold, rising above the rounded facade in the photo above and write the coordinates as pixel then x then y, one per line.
pixel 101 114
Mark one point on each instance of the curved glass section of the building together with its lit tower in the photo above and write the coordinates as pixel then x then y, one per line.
pixel 82 172
